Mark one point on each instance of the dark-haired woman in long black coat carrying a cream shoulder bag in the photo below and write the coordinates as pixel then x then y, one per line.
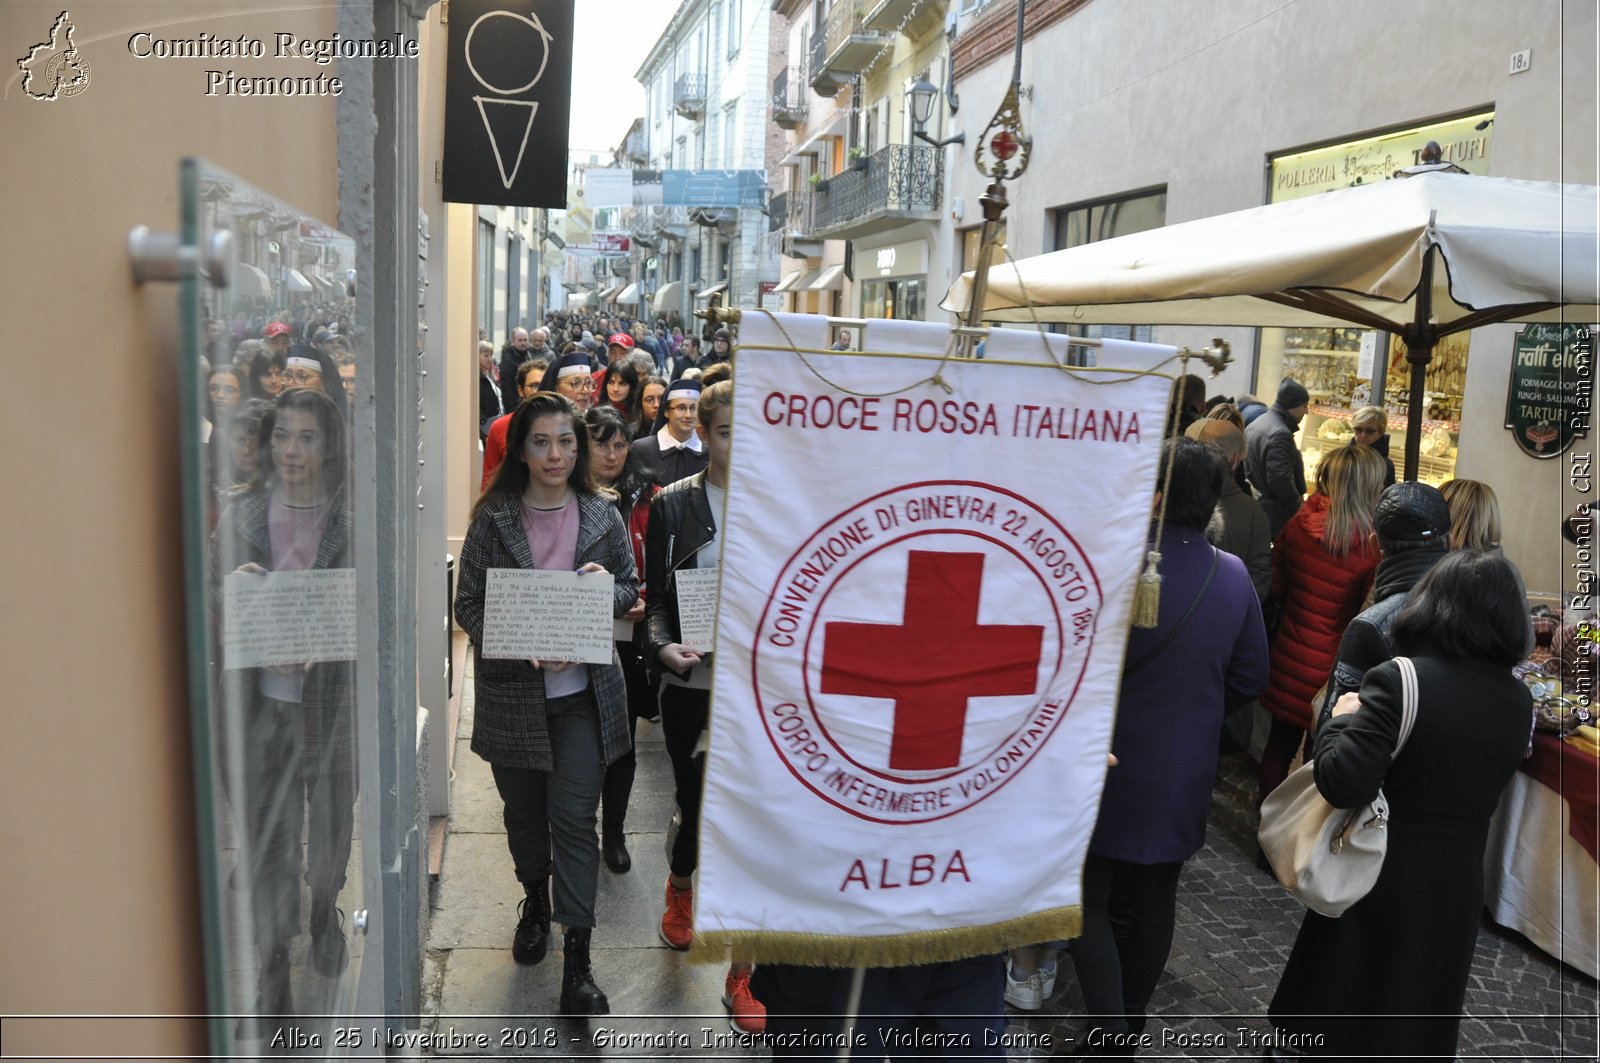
pixel 1390 977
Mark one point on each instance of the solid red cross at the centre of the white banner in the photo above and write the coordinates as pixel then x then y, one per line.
pixel 934 662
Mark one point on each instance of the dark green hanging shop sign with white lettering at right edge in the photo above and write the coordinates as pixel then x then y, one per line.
pixel 1551 388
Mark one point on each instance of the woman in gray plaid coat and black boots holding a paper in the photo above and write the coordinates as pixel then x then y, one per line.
pixel 550 729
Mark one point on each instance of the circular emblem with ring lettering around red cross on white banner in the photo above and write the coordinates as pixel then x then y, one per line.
pixel 924 555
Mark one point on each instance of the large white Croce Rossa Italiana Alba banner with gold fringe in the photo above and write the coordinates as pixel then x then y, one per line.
pixel 922 622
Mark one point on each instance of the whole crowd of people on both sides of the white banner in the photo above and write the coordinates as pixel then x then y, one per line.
pixel 1281 598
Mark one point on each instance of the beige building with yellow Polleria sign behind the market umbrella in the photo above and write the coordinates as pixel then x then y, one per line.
pixel 1162 113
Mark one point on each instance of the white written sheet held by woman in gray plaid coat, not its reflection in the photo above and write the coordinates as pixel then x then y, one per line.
pixel 548 616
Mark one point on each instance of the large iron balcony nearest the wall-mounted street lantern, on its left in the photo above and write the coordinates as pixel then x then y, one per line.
pixel 889 188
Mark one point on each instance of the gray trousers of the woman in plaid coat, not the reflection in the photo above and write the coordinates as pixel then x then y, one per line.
pixel 554 812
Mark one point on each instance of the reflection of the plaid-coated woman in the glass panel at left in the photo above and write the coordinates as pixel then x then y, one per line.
pixel 298 720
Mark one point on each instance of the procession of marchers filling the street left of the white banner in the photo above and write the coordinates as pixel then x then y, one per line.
pixel 642 422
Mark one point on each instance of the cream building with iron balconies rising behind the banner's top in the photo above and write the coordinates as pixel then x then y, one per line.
pixel 863 215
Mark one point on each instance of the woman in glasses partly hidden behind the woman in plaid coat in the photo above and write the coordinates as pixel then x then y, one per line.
pixel 617 468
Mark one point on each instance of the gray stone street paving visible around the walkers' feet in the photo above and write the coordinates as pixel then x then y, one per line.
pixel 1234 933
